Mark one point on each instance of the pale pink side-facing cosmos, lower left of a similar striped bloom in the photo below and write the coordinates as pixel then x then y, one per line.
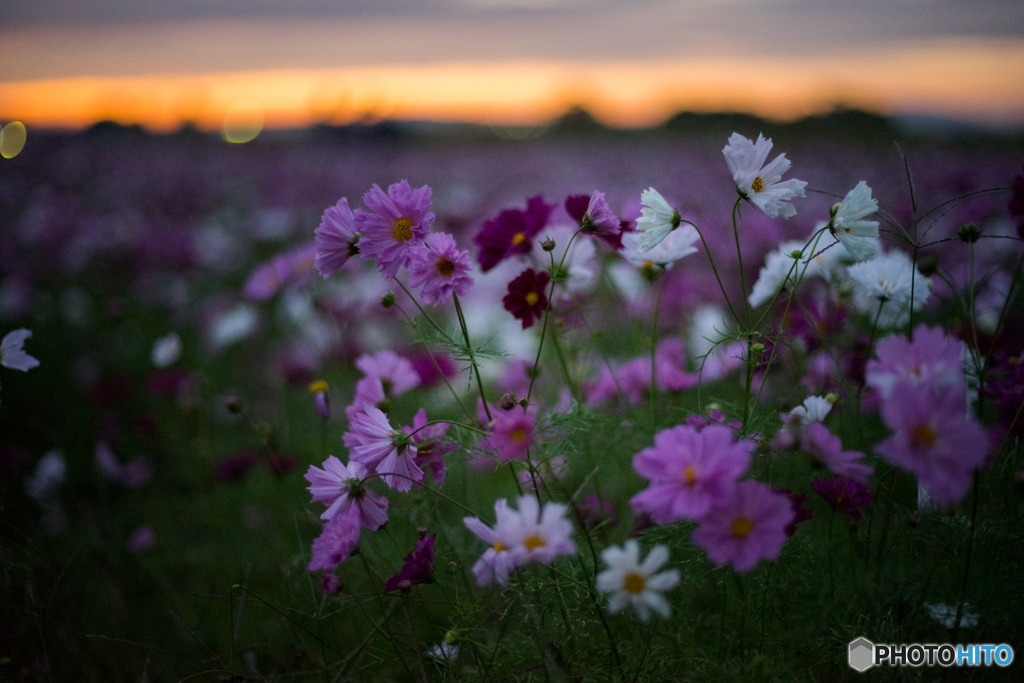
pixel 343 488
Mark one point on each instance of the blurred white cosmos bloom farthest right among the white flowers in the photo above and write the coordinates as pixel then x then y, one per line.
pixel 887 281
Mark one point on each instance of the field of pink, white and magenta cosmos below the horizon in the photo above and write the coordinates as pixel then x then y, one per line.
pixel 419 403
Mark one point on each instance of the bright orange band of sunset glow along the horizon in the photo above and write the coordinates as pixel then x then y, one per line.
pixel 972 80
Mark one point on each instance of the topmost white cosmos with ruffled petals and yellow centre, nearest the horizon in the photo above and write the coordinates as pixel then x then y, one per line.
pixel 760 184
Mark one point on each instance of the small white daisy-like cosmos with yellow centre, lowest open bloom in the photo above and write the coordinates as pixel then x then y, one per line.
pixel 633 583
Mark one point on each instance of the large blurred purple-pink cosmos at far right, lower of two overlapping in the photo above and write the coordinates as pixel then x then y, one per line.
pixel 934 440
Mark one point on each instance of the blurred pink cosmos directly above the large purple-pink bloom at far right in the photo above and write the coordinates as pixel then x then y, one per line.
pixel 932 360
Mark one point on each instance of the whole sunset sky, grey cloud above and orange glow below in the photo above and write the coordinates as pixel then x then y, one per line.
pixel 71 63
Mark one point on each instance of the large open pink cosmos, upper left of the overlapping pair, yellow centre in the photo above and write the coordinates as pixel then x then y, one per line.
pixel 690 471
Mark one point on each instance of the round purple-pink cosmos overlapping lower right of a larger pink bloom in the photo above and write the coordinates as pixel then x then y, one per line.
pixel 746 529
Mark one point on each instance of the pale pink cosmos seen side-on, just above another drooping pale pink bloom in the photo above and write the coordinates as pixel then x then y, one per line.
pixel 374 444
